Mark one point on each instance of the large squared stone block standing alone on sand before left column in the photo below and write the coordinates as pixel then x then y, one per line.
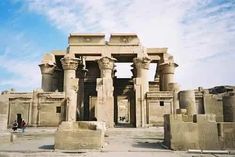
pixel 80 135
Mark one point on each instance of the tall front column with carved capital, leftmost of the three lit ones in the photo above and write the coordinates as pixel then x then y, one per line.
pixel 70 64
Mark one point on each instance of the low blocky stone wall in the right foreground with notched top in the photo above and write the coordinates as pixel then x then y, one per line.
pixel 183 132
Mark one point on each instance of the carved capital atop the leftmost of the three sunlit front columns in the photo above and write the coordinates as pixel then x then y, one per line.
pixel 69 62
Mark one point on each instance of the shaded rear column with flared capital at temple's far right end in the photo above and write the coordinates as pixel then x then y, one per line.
pixel 167 71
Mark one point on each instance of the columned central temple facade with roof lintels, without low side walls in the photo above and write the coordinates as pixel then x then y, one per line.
pixel 85 72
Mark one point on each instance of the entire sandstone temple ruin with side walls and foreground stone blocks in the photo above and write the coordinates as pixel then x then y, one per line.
pixel 80 91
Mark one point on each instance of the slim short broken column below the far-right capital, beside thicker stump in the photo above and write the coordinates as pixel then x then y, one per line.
pixel 174 87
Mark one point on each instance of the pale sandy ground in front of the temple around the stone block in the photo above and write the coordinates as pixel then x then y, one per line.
pixel 120 142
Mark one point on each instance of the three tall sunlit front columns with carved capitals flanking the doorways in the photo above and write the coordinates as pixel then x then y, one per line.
pixel 105 100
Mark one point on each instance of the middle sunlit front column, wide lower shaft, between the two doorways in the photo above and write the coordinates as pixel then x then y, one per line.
pixel 104 87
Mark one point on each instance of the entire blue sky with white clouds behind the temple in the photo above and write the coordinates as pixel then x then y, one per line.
pixel 200 34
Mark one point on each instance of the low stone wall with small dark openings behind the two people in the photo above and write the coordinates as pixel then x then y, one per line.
pixel 36 108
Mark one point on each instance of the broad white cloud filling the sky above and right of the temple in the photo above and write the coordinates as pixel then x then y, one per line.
pixel 198 33
